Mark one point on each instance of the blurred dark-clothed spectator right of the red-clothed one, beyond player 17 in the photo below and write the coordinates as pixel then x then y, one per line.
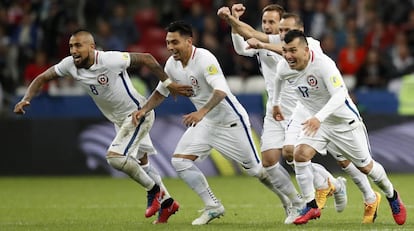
pixel 374 73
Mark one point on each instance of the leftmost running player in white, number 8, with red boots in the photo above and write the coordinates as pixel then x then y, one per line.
pixel 103 75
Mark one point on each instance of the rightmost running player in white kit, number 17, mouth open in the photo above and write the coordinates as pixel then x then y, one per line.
pixel 334 122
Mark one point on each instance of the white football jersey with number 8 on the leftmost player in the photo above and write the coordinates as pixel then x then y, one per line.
pixel 107 82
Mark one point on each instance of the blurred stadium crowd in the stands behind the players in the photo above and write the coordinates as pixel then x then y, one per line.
pixel 371 41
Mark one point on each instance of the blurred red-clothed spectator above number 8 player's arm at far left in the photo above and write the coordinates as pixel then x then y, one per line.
pixel 36 67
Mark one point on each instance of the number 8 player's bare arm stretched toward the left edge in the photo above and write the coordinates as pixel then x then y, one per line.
pixel 34 88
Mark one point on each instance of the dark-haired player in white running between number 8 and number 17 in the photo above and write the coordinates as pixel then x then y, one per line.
pixel 219 121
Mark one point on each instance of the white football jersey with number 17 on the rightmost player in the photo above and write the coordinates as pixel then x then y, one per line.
pixel 316 84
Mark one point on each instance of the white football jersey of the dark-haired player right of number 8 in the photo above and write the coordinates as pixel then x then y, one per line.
pixel 204 74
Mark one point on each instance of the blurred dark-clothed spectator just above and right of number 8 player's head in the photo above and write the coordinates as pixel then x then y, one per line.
pixel 123 26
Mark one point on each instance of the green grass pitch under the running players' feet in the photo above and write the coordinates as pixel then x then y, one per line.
pixel 104 203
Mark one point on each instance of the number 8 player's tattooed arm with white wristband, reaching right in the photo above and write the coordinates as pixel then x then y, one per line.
pixel 138 59
